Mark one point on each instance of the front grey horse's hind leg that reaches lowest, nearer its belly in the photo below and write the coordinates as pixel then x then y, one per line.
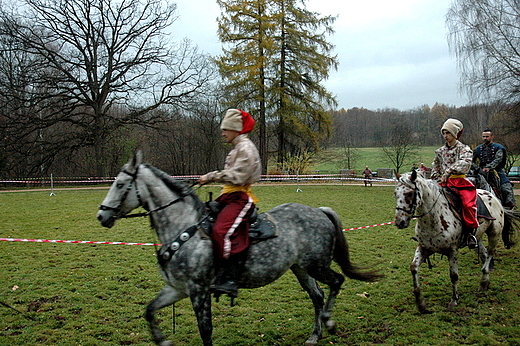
pixel 316 294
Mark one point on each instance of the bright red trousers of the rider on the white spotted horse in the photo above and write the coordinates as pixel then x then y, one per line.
pixel 468 194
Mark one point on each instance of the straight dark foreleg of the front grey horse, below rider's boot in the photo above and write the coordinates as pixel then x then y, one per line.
pixel 201 302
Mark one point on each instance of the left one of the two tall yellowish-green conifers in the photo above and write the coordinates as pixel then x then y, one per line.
pixel 245 26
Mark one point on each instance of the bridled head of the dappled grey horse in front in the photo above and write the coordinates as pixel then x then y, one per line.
pixel 123 195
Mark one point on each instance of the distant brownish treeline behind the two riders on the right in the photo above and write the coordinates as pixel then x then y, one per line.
pixel 360 127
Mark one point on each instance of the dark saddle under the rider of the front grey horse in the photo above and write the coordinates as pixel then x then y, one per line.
pixel 261 226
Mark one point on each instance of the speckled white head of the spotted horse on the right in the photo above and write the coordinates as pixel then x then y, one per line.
pixel 406 194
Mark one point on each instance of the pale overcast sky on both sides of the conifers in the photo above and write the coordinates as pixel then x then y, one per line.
pixel 391 53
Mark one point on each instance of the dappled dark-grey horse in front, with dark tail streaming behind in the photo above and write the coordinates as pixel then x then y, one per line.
pixel 308 240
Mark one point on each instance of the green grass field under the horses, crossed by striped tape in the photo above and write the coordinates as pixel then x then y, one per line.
pixel 76 294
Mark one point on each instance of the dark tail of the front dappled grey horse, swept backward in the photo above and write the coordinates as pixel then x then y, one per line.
pixel 341 252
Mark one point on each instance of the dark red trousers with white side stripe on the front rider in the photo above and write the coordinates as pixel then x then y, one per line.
pixel 231 230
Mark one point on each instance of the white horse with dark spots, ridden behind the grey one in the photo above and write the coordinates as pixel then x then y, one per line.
pixel 439 229
